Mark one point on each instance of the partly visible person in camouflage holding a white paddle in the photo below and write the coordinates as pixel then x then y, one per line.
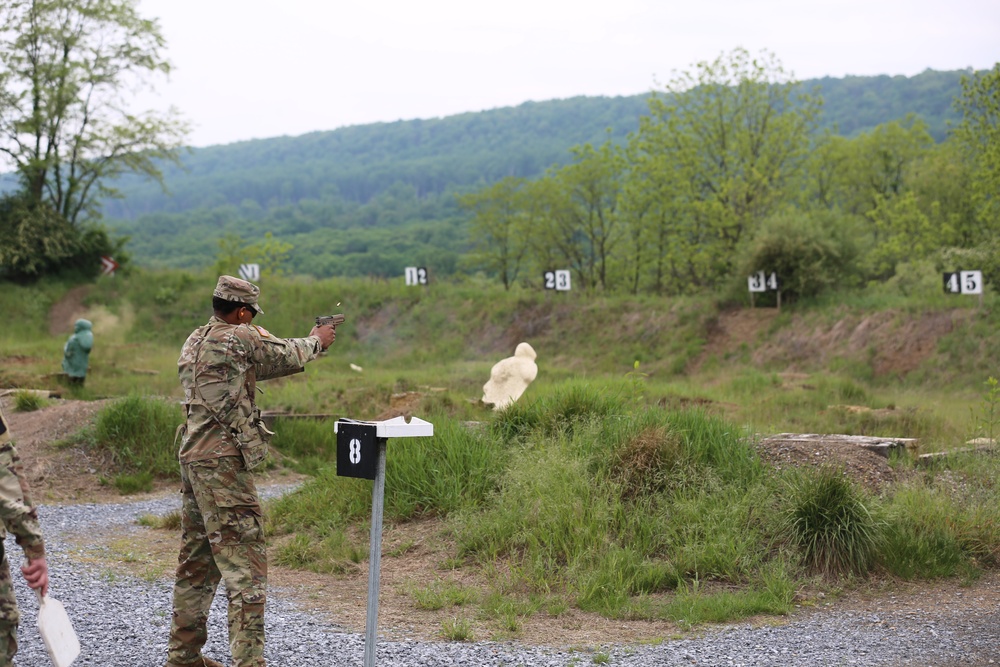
pixel 18 516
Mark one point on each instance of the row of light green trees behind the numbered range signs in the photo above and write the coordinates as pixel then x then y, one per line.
pixel 730 172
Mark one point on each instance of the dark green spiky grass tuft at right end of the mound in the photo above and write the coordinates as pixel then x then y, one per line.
pixel 829 523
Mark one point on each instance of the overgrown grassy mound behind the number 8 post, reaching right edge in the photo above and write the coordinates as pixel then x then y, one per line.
pixel 579 495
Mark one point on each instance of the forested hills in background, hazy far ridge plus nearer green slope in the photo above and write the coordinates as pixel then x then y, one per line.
pixel 383 194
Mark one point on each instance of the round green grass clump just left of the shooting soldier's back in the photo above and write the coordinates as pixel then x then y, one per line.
pixel 138 432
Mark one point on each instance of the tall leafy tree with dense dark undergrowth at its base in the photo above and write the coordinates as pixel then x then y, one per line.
pixel 65 66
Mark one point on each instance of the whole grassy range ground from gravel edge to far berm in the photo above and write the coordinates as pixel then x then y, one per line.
pixel 625 481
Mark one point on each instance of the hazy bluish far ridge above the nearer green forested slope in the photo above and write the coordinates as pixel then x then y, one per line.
pixel 436 155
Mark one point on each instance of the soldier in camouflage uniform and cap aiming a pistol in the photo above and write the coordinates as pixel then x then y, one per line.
pixel 222 439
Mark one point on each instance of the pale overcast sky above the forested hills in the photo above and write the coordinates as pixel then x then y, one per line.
pixel 247 69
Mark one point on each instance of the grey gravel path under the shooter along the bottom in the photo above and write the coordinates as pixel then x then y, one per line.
pixel 123 622
